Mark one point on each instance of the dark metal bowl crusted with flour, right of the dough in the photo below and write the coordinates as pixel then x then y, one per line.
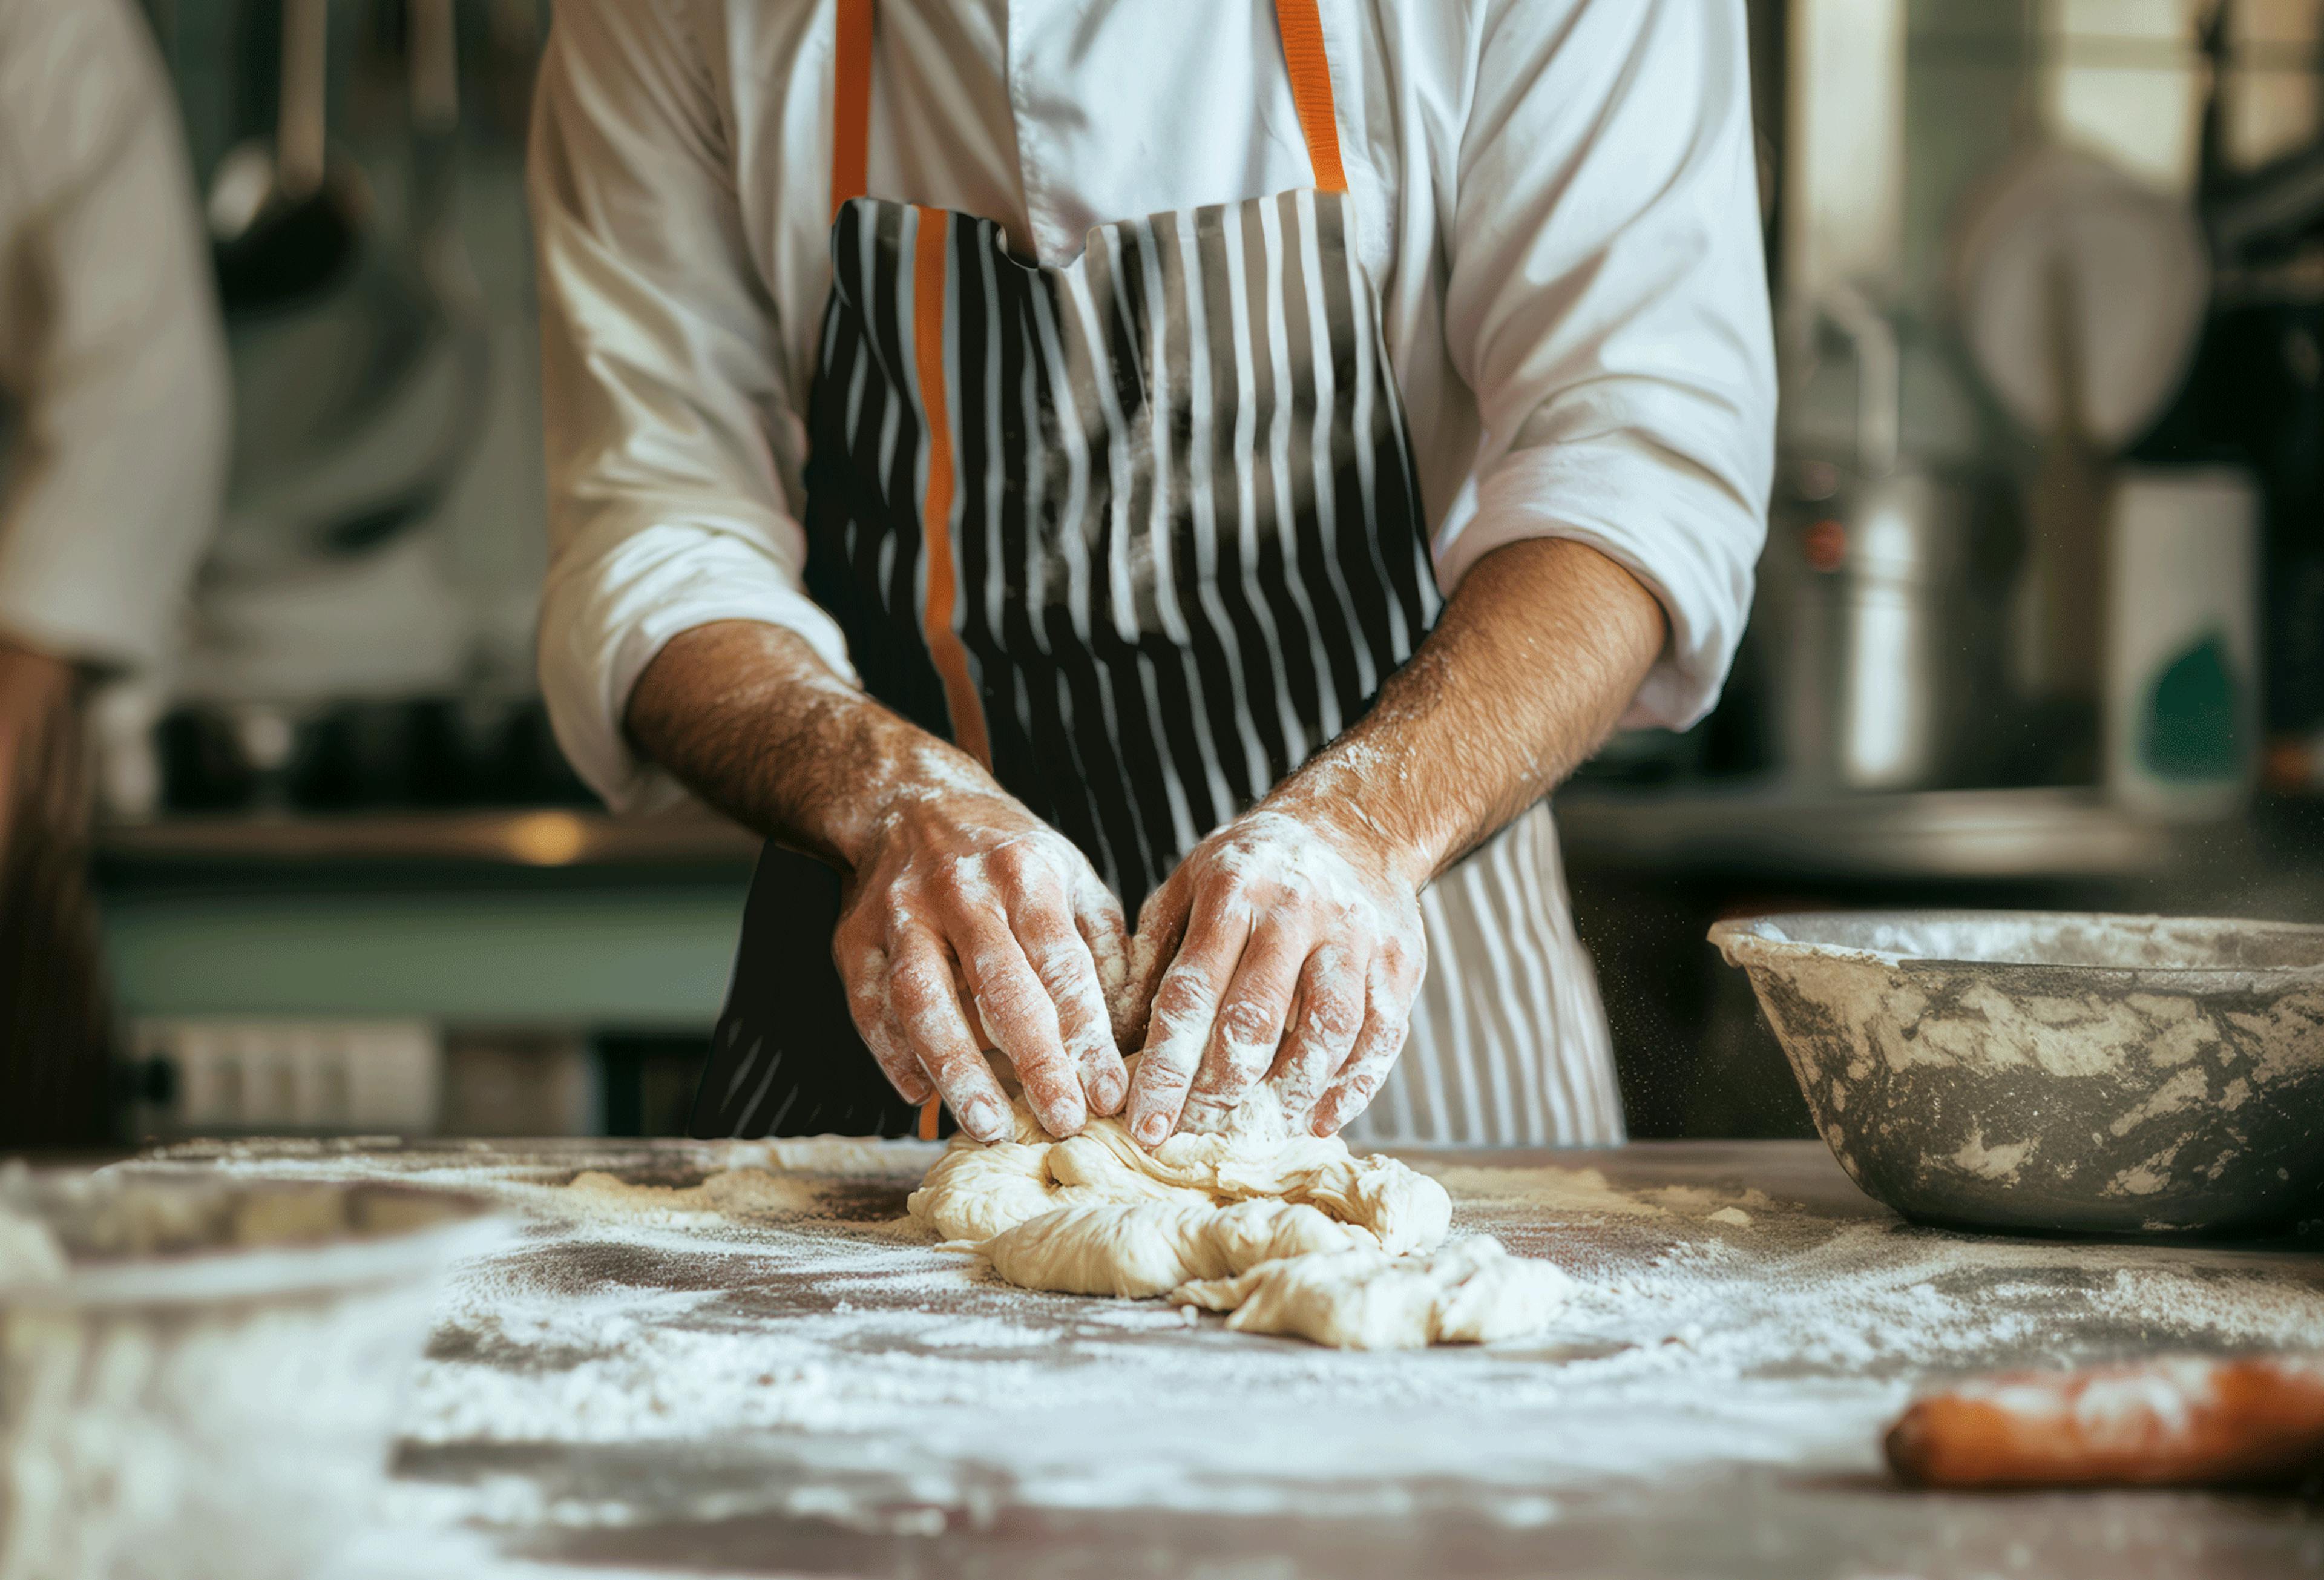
pixel 2056 1072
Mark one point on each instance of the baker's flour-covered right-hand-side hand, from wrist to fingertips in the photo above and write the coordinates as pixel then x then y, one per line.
pixel 1286 949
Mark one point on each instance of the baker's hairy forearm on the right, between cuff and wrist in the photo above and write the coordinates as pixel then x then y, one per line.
pixel 1523 677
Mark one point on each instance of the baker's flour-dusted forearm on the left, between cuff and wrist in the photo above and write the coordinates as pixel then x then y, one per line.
pixel 761 728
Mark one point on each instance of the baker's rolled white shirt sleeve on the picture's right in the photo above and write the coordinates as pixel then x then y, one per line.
pixel 1607 303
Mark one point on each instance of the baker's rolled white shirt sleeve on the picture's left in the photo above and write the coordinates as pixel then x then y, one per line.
pixel 668 417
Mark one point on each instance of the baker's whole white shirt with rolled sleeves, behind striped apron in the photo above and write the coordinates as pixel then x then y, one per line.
pixel 1556 203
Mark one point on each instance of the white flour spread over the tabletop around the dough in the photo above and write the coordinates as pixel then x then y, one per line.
pixel 847 1365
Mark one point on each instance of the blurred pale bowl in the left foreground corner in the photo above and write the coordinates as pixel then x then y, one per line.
pixel 199 1377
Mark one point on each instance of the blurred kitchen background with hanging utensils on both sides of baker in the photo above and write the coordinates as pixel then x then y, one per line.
pixel 2042 612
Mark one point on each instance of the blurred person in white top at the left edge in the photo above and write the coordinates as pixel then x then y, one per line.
pixel 113 457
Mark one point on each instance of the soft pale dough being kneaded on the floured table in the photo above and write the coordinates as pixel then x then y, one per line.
pixel 1293 1235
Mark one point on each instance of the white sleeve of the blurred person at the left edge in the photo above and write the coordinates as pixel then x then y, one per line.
pixel 110 343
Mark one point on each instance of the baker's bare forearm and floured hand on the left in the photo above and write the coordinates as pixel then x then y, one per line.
pixel 966 924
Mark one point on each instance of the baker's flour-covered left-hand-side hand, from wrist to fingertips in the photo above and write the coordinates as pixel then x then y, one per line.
pixel 973 926
